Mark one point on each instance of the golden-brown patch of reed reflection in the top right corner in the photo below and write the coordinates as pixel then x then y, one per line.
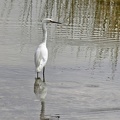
pixel 106 18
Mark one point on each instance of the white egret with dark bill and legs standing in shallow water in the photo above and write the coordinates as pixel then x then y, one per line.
pixel 41 53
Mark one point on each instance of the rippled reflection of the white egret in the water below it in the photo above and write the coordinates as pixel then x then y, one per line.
pixel 40 89
